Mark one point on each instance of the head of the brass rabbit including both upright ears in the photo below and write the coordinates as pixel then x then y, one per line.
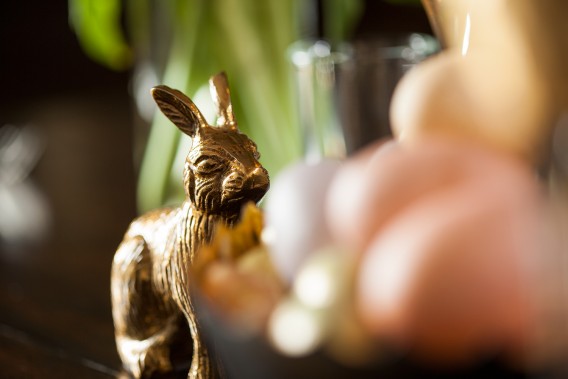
pixel 222 171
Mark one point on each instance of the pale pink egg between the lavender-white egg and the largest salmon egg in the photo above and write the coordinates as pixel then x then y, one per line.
pixel 368 190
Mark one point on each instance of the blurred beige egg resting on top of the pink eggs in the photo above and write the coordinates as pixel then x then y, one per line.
pixel 480 98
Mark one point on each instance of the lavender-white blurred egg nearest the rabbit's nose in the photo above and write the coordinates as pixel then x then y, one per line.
pixel 295 224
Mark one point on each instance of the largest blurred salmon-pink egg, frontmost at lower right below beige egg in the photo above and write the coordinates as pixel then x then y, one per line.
pixel 450 275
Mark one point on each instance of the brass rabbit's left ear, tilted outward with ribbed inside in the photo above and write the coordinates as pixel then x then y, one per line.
pixel 179 109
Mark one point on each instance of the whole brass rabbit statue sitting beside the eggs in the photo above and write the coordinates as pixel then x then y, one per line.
pixel 150 278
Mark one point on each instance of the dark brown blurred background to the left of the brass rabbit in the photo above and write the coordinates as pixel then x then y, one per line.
pixel 55 317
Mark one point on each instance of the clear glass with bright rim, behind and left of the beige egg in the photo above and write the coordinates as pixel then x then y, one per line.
pixel 344 95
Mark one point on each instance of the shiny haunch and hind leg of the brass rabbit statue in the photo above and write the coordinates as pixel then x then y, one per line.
pixel 145 322
